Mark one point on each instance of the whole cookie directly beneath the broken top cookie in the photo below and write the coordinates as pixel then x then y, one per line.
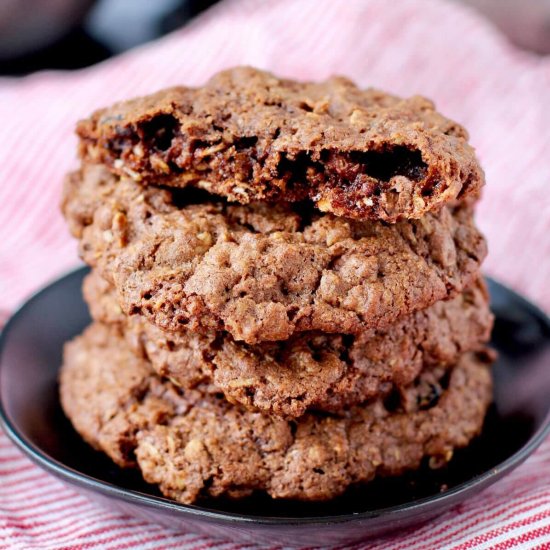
pixel 263 272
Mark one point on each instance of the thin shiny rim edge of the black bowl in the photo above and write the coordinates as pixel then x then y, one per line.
pixel 391 513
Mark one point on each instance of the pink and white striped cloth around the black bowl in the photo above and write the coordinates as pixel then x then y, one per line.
pixel 430 47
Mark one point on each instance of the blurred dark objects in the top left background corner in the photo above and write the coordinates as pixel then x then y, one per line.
pixel 69 34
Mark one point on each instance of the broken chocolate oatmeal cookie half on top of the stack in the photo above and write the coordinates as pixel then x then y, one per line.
pixel 250 136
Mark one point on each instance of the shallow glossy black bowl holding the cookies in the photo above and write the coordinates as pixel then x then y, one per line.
pixel 30 355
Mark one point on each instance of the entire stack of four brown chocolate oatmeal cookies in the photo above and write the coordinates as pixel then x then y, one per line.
pixel 285 288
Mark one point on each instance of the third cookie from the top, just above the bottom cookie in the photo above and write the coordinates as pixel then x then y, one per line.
pixel 311 370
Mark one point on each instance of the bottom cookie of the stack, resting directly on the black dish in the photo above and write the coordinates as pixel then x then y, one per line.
pixel 194 444
